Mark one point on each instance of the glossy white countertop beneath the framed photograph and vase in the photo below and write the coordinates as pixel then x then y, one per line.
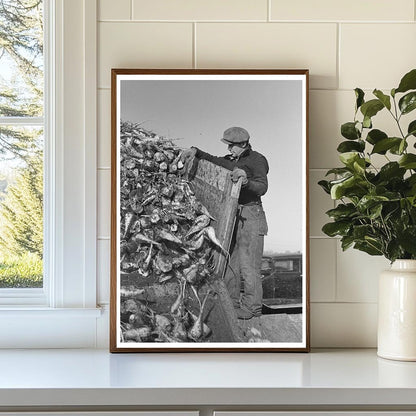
pixel 97 378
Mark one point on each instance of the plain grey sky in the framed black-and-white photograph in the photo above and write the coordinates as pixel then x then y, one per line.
pixel 197 113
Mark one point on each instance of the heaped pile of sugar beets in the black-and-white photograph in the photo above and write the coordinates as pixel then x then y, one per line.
pixel 166 237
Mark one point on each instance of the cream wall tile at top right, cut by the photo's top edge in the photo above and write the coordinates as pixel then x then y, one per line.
pixel 342 10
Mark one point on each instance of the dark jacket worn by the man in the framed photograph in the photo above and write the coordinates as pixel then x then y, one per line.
pixel 253 163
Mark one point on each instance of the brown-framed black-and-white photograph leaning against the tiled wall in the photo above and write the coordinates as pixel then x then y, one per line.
pixel 209 211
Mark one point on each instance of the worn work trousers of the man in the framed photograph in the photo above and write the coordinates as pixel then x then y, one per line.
pixel 245 261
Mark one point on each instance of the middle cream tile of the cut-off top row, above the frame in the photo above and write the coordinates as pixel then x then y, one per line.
pixel 200 10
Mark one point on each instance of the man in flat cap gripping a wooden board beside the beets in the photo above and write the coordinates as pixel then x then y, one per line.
pixel 251 226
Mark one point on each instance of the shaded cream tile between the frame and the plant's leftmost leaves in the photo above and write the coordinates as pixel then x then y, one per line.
pixel 319 203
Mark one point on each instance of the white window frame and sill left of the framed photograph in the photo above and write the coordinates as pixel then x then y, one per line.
pixel 70 207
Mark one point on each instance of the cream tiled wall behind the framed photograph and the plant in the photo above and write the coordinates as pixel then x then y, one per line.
pixel 345 44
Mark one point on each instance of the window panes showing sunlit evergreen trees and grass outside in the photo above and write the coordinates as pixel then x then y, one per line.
pixel 22 128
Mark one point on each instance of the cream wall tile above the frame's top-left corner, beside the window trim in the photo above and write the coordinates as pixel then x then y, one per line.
pixel 142 45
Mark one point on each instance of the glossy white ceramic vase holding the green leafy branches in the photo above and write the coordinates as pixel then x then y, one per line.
pixel 397 312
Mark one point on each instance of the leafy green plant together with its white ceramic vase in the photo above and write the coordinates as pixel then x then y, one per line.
pixel 376 206
